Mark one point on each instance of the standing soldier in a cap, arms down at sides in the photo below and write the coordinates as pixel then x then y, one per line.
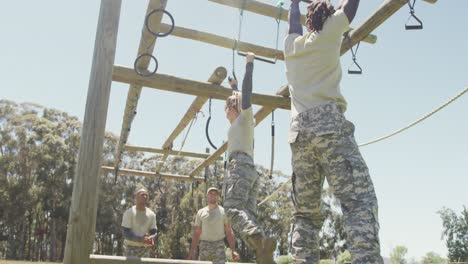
pixel 211 226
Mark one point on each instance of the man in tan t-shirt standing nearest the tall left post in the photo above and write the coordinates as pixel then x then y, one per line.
pixel 139 226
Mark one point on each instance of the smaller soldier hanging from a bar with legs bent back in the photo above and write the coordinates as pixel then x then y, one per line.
pixel 241 182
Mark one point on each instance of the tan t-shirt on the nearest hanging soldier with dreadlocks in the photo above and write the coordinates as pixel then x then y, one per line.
pixel 313 65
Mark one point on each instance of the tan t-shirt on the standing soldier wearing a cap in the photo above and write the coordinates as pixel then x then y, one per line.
pixel 211 223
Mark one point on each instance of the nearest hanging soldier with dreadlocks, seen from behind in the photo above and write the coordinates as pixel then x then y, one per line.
pixel 322 140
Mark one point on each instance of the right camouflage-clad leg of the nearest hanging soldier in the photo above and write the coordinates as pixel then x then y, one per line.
pixel 349 177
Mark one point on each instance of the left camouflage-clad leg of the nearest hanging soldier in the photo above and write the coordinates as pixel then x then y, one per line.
pixel 307 188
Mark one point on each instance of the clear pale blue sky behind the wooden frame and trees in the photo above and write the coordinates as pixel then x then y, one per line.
pixel 47 47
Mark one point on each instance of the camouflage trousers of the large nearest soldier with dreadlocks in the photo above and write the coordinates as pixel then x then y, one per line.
pixel 323 145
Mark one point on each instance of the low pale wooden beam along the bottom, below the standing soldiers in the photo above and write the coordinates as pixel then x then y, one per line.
pixel 103 259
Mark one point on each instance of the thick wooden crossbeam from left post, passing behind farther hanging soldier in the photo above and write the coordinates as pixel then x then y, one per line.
pixel 185 86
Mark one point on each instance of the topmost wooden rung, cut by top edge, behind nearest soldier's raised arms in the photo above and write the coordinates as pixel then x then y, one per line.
pixel 274 12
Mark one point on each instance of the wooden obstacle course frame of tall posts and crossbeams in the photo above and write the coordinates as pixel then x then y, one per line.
pixel 83 210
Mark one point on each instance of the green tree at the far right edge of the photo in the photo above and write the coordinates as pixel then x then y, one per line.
pixel 455 233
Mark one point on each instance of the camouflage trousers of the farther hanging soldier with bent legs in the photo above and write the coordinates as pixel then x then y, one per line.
pixel 240 195
